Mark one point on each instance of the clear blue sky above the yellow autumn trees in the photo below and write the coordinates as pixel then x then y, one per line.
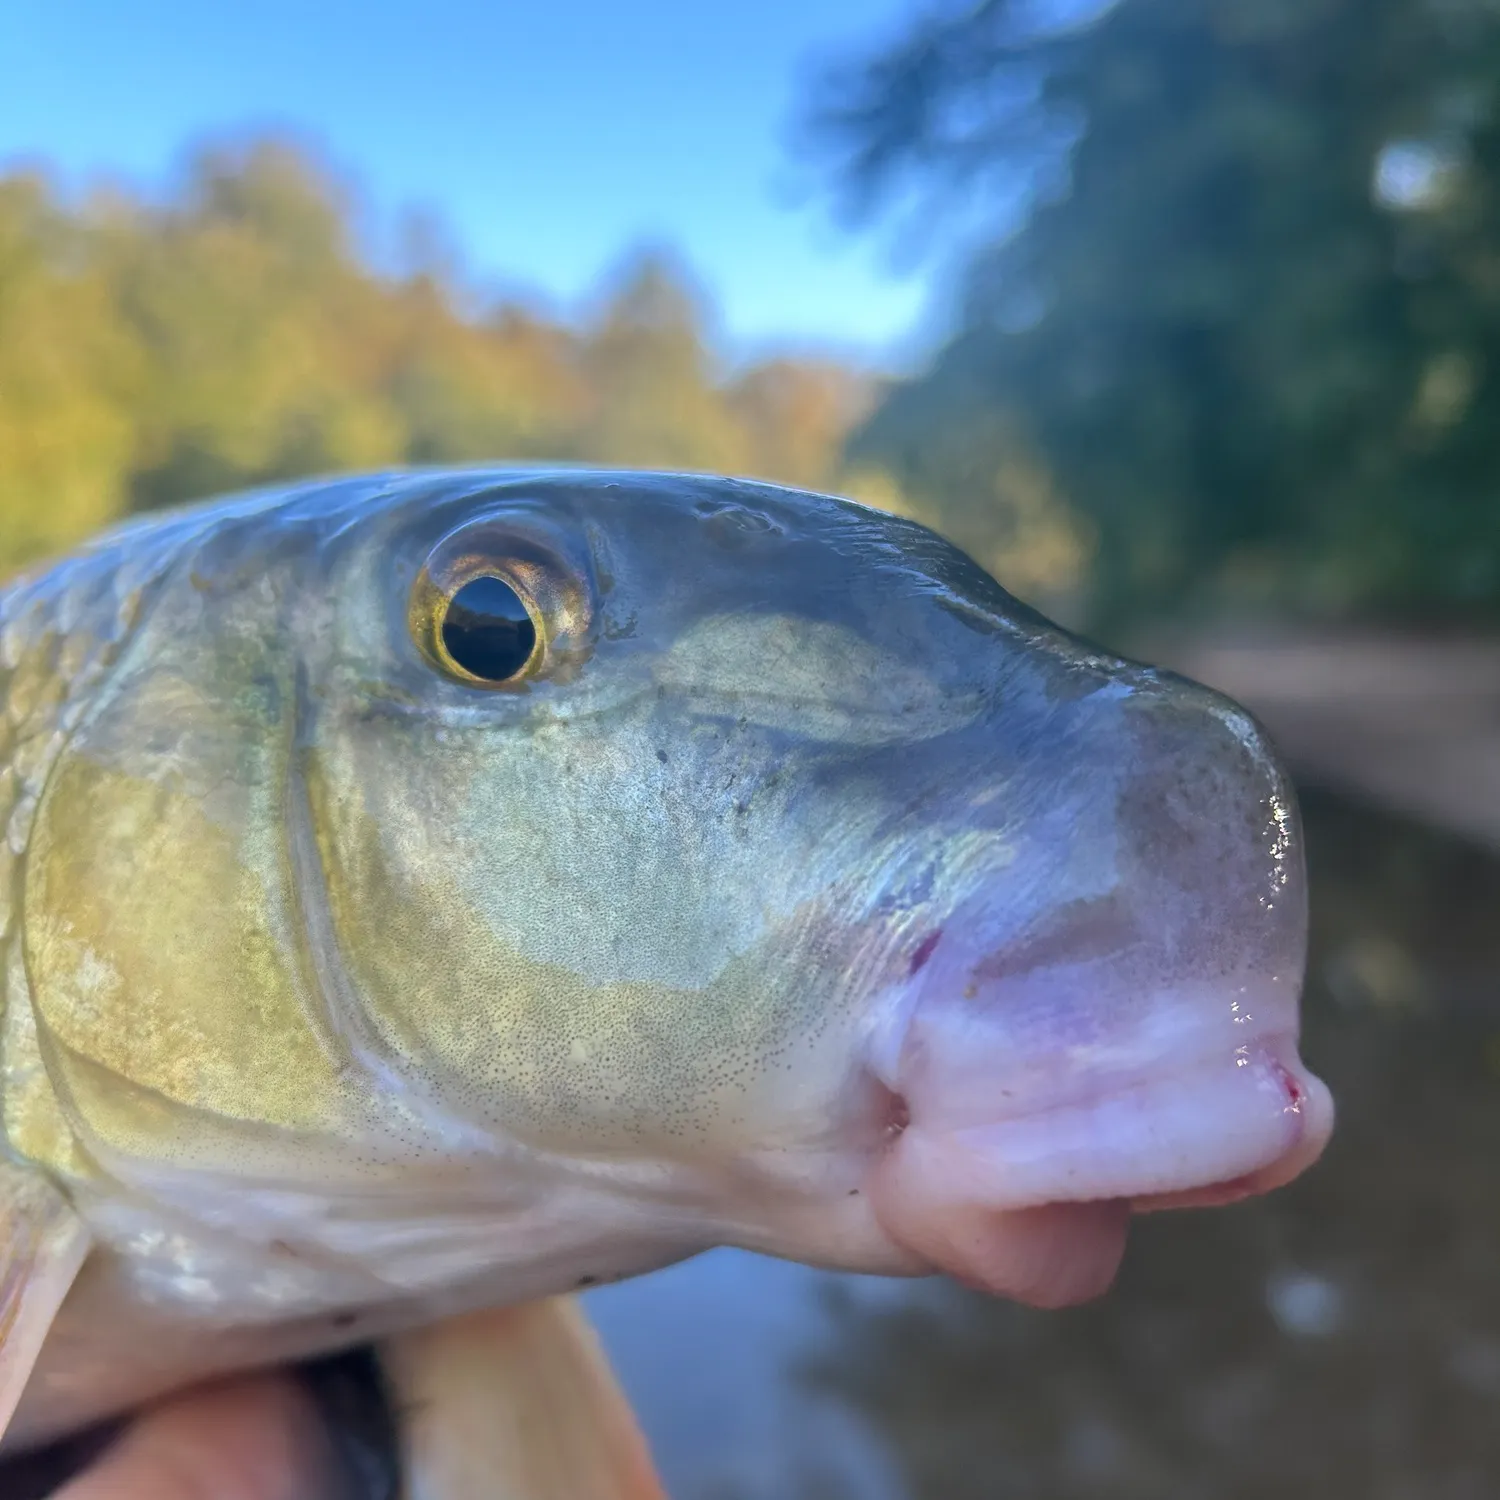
pixel 550 134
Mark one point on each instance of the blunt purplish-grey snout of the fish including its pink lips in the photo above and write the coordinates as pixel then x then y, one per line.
pixel 1123 1043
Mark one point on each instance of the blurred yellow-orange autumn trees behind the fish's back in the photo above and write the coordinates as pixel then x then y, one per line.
pixel 154 352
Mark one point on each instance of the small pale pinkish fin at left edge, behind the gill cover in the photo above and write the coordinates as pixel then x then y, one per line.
pixel 43 1244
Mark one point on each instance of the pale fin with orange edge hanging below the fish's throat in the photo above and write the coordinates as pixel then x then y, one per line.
pixel 515 1405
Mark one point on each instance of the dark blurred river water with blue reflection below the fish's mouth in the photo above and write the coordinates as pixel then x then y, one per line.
pixel 1339 1340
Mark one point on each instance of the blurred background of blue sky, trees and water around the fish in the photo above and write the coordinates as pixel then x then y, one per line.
pixel 1181 316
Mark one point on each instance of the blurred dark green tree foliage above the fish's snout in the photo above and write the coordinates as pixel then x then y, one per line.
pixel 1250 325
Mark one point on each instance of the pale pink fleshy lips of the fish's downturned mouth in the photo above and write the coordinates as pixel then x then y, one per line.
pixel 1036 1205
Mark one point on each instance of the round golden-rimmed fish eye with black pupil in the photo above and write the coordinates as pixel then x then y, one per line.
pixel 499 605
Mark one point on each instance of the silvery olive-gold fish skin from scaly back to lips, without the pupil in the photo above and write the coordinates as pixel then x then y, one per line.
pixel 809 895
